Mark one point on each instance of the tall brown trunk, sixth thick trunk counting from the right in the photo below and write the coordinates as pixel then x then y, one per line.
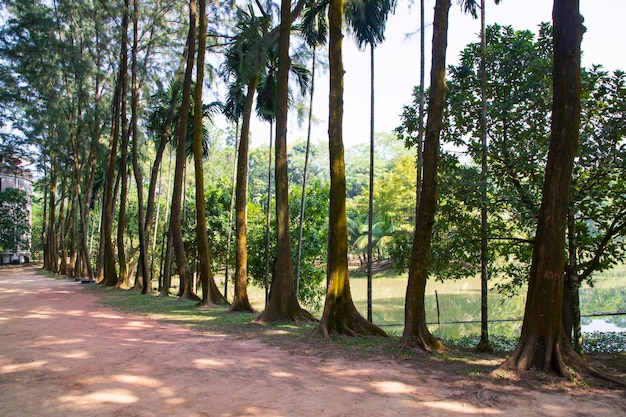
pixel 210 293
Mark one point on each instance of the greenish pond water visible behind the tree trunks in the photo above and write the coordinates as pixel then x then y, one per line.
pixel 458 314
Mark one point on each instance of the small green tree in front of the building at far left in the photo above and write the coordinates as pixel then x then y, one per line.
pixel 14 221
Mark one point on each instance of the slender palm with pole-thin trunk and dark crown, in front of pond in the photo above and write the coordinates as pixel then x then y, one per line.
pixel 368 19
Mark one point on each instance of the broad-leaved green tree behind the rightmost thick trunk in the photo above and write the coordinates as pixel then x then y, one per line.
pixel 515 97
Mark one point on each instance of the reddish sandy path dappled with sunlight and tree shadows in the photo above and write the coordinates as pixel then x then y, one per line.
pixel 62 354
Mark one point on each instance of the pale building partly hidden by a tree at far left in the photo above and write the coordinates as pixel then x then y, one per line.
pixel 14 175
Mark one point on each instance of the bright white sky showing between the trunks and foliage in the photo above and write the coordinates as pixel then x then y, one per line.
pixel 397 60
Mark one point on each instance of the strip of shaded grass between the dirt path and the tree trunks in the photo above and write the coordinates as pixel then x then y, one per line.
pixel 459 360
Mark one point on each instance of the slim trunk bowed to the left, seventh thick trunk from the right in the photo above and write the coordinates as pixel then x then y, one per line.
pixel 177 195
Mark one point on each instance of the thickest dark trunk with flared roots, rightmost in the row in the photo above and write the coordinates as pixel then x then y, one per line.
pixel 542 344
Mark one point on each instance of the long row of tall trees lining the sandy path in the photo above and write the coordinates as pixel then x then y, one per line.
pixel 87 113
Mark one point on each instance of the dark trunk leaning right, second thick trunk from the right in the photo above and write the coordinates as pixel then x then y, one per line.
pixel 416 331
